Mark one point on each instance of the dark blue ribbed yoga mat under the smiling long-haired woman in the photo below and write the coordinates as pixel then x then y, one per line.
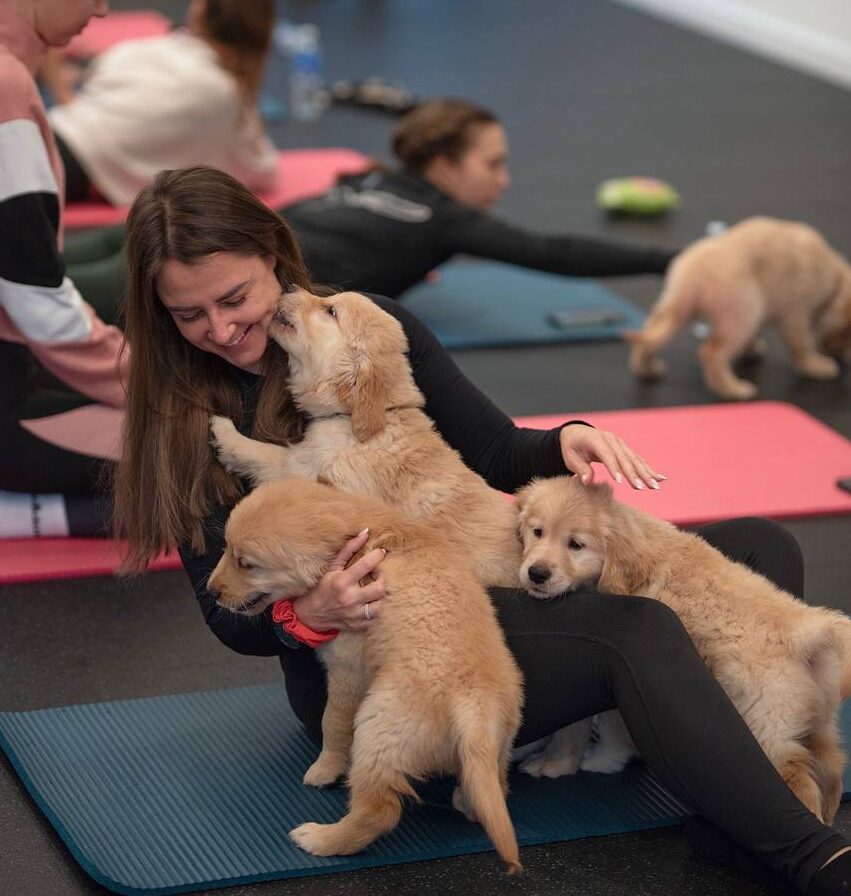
pixel 194 791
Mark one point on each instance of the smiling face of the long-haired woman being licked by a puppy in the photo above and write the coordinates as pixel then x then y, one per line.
pixel 223 304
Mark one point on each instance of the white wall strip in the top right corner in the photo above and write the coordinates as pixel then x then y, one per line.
pixel 811 35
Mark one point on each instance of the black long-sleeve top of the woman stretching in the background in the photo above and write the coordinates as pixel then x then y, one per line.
pixel 383 232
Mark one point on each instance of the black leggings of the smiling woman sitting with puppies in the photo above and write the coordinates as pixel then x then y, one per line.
pixel 585 653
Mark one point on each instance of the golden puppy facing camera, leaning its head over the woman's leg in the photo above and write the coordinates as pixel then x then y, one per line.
pixel 780 660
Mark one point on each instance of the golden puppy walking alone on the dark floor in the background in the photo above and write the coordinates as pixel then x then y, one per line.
pixel 761 271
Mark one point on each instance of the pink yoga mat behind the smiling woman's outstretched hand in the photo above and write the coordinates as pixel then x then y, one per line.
pixel 763 458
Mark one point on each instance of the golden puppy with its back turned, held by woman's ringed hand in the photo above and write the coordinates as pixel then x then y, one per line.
pixel 429 687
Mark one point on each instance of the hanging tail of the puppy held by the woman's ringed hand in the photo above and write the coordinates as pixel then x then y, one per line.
pixel 479 751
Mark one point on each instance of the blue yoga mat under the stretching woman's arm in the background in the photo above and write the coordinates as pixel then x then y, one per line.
pixel 479 304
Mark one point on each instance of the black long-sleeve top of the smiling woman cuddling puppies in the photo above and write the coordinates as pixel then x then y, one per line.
pixel 506 456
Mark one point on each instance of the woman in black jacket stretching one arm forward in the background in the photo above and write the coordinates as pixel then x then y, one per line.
pixel 383 231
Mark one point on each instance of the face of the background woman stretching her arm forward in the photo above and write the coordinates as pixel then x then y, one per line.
pixel 480 176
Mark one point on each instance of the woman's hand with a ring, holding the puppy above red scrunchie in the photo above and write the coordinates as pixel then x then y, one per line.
pixel 338 601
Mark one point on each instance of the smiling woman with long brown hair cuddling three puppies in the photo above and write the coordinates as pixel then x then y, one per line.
pixel 208 263
